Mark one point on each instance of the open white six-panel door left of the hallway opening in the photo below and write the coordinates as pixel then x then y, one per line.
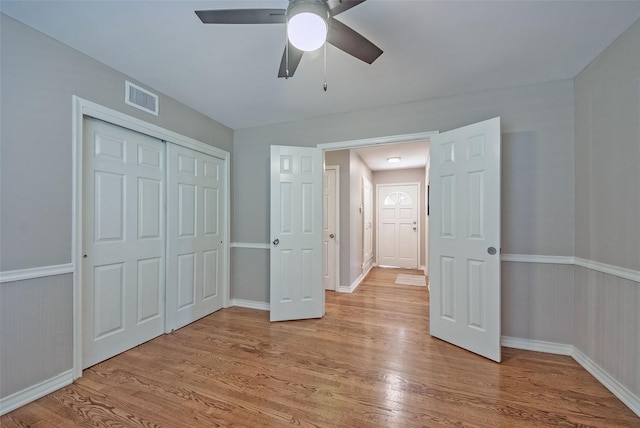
pixel 296 233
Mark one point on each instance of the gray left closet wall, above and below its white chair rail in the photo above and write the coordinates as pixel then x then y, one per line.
pixel 39 77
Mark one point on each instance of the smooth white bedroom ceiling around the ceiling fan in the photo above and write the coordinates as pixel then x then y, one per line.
pixel 431 49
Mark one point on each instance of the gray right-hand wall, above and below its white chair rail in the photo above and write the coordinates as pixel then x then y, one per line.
pixel 607 208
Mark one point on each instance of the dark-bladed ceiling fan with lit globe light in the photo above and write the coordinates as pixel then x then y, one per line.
pixel 305 20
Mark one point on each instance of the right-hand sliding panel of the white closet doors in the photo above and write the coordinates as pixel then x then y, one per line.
pixel 196 253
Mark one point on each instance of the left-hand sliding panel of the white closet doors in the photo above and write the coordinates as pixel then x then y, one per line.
pixel 123 240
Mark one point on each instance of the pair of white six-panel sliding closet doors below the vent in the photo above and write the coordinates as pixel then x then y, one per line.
pixel 153 233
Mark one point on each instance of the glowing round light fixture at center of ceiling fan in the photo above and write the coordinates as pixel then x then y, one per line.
pixel 307 25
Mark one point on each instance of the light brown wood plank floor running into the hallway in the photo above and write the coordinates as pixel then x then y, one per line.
pixel 370 362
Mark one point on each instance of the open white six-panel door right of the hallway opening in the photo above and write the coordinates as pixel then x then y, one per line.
pixel 464 239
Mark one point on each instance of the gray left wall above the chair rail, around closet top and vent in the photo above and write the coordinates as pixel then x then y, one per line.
pixel 39 77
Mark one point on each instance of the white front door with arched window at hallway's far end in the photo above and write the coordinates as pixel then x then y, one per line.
pixel 398 208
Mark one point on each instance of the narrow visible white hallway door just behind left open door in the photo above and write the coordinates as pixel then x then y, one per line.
pixel 330 228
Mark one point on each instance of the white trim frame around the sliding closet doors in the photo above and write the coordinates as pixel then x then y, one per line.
pixel 81 108
